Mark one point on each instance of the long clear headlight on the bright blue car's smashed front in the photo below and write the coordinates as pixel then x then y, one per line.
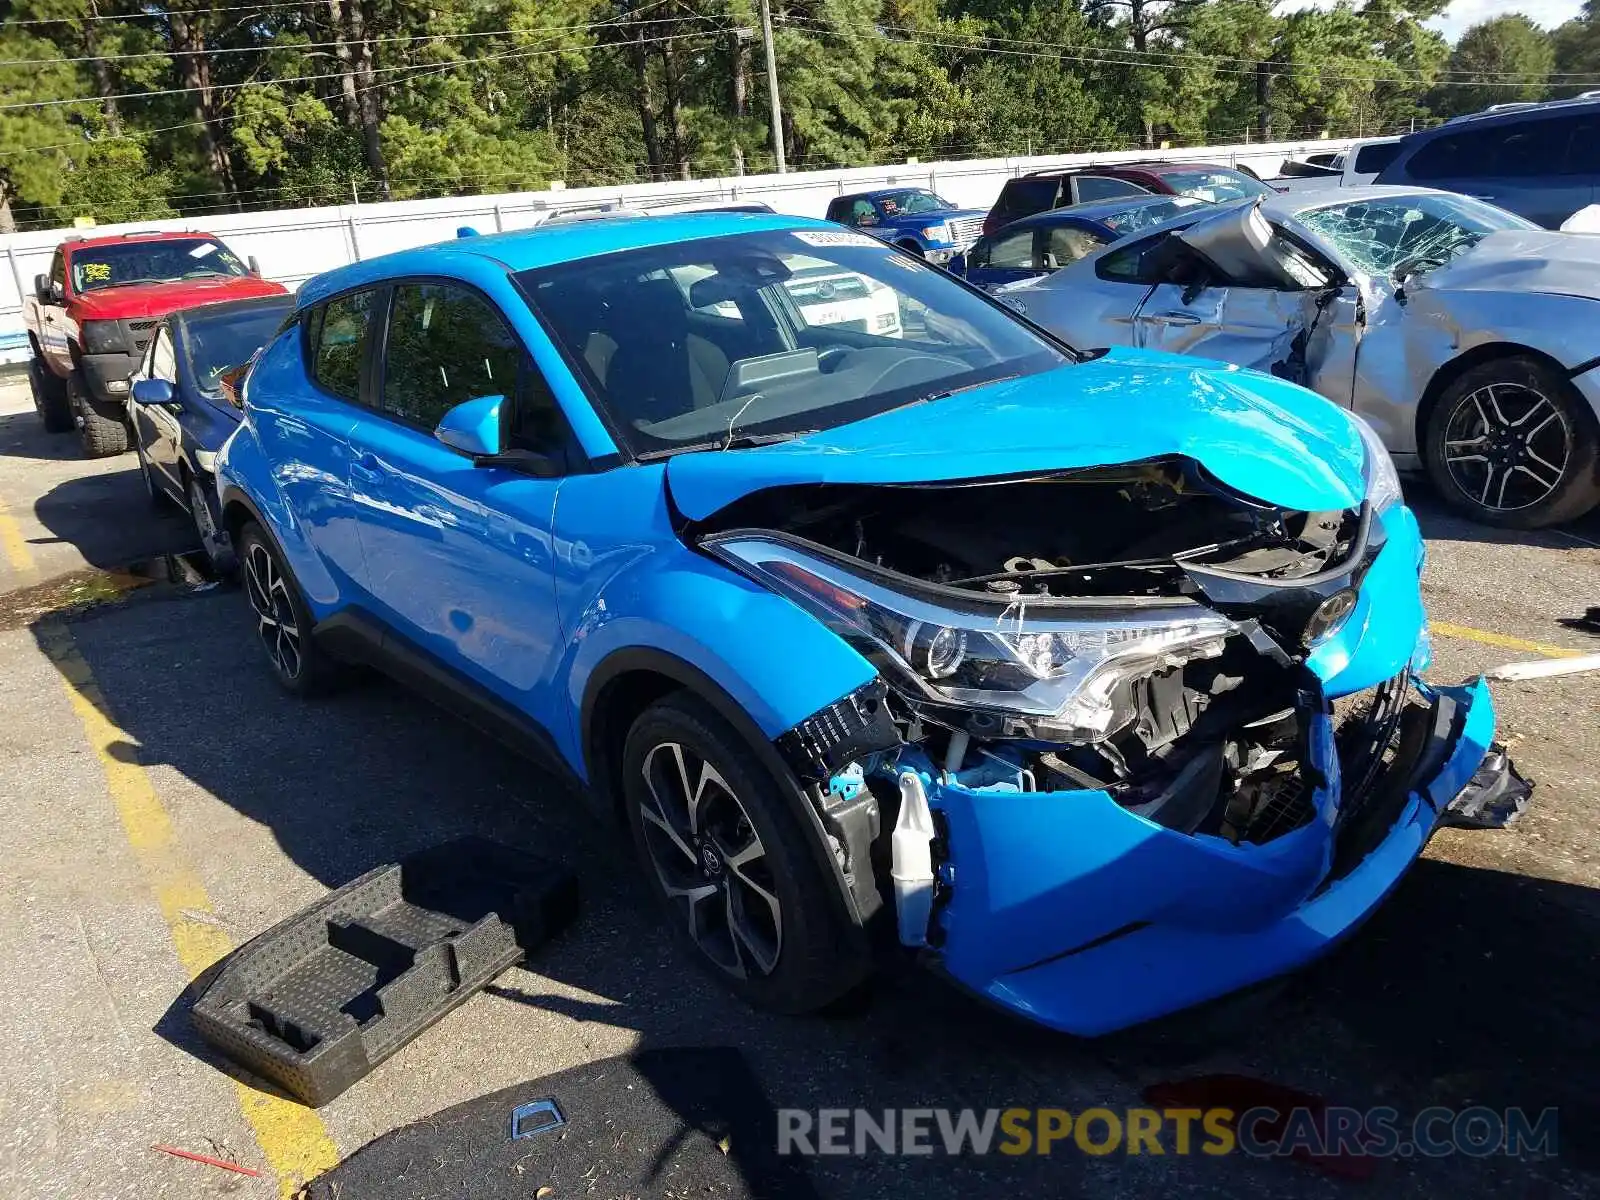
pixel 1046 668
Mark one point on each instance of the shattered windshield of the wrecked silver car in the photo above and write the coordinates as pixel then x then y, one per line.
pixel 1420 231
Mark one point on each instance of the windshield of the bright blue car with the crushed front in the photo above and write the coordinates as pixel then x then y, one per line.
pixel 697 345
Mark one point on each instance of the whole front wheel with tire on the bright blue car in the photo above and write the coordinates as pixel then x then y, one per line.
pixel 727 857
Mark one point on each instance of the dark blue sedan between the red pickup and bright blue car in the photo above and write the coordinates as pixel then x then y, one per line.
pixel 182 407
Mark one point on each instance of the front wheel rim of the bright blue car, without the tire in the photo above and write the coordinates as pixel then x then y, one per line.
pixel 711 862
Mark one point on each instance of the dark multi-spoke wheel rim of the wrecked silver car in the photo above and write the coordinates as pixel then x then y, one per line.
pixel 1508 447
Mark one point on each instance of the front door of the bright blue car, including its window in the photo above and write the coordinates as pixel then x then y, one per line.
pixel 458 556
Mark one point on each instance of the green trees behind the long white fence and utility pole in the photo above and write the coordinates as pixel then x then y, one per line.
pixel 334 100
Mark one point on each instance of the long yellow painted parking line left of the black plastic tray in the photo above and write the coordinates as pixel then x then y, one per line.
pixel 294 1140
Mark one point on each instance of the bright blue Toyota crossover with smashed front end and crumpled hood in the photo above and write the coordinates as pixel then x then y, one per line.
pixel 1094 678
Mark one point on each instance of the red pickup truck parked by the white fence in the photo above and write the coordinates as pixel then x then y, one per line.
pixel 92 318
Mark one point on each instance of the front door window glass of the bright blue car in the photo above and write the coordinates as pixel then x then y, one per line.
pixel 447 345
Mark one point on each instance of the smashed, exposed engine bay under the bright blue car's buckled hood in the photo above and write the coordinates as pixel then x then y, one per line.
pixel 1210 737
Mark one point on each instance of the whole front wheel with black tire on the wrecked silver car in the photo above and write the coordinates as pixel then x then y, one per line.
pixel 1513 444
